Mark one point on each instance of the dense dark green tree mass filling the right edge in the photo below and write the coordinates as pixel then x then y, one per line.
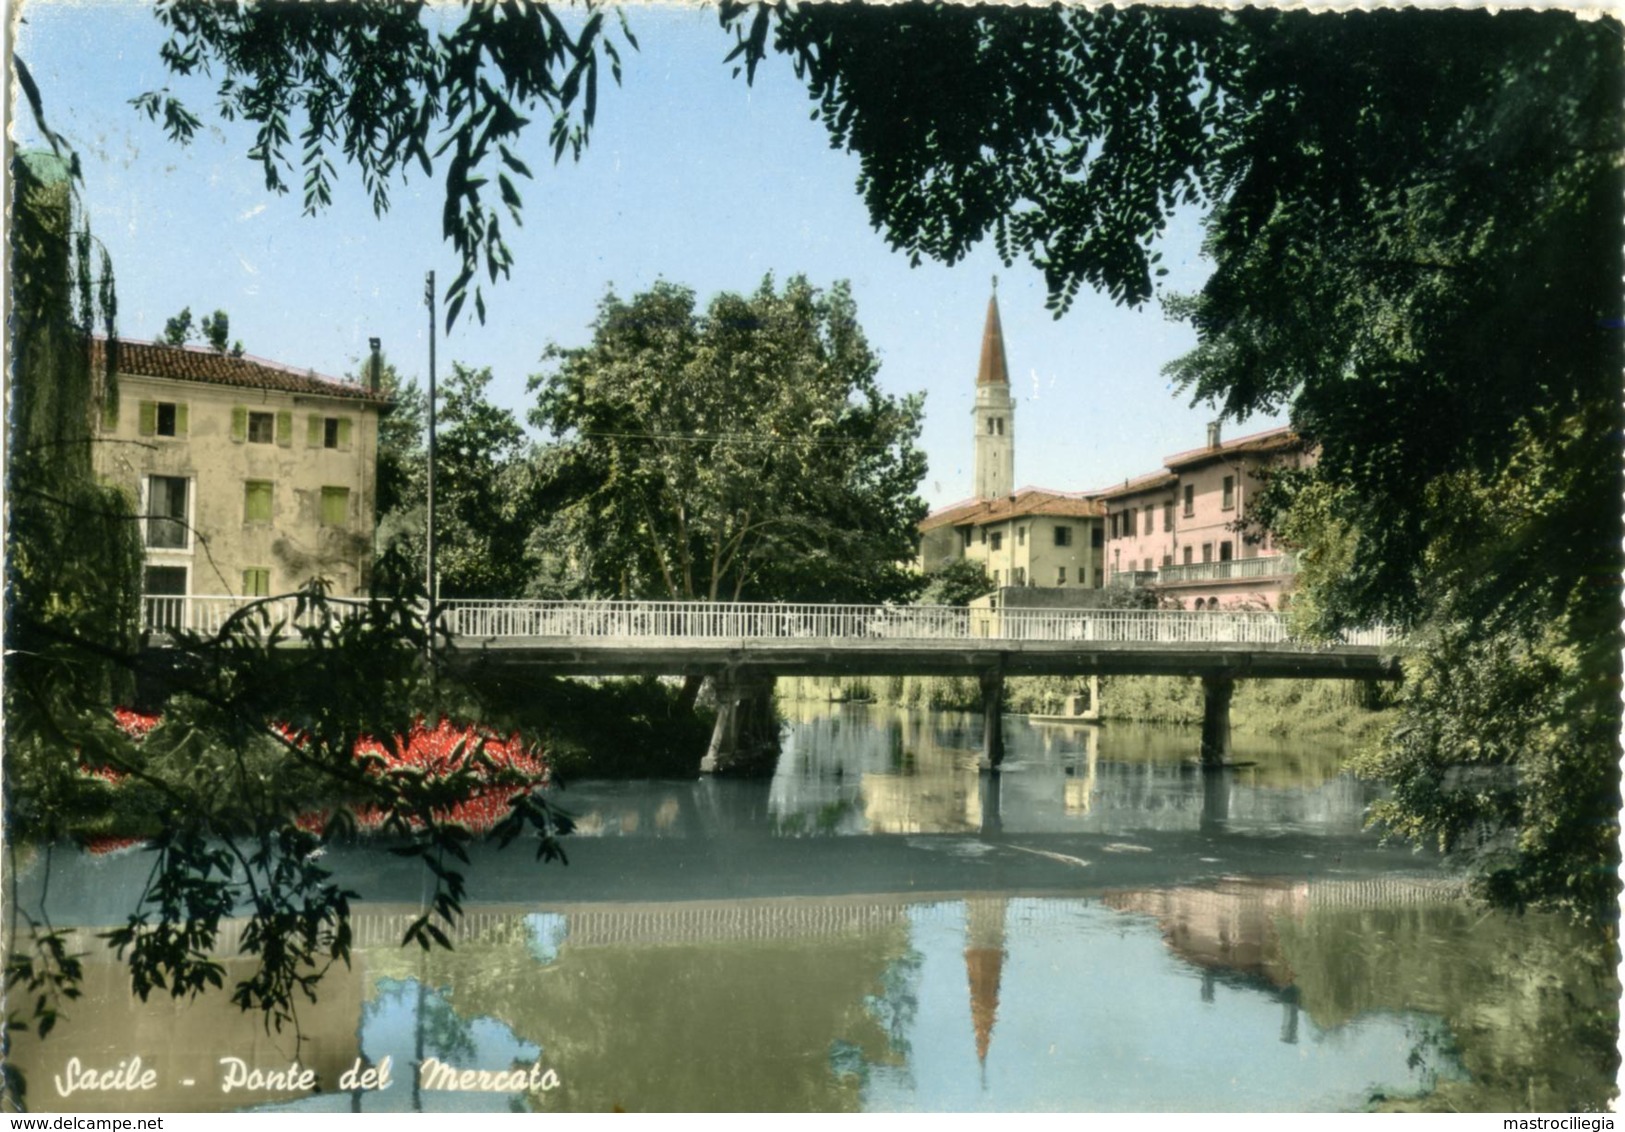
pixel 1419 253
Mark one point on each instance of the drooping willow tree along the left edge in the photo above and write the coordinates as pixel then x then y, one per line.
pixel 74 560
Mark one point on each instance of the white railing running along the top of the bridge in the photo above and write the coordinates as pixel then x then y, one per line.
pixel 690 621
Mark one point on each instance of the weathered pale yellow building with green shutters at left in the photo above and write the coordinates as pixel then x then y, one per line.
pixel 251 478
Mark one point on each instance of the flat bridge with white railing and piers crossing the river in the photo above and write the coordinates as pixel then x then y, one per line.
pixel 743 647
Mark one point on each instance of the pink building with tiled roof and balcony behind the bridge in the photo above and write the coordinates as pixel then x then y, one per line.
pixel 1182 529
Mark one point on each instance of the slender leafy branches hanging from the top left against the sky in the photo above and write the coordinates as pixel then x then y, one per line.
pixel 376 85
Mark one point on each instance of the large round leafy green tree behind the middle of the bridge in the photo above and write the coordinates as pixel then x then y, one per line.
pixel 743 454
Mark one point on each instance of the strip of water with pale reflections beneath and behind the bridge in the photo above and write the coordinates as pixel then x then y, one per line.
pixel 864 769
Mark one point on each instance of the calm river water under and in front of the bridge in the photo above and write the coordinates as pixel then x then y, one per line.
pixel 883 927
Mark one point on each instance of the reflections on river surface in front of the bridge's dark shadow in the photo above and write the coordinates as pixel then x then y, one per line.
pixel 1237 996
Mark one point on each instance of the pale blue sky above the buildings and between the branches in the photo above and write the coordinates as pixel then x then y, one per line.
pixel 691 176
